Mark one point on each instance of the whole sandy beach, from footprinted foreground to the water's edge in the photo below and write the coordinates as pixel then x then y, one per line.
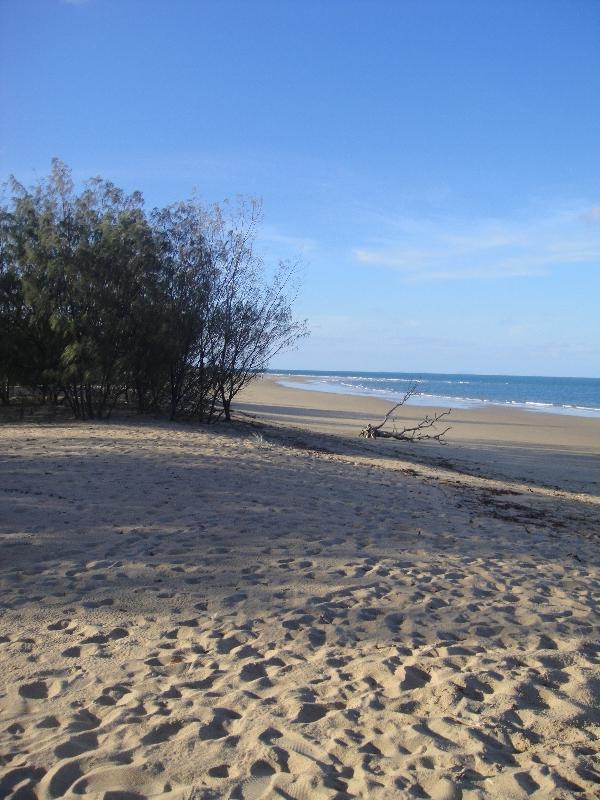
pixel 280 609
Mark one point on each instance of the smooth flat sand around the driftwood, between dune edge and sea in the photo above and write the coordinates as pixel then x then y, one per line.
pixel 550 450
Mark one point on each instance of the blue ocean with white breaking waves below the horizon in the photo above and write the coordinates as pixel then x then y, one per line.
pixel 574 396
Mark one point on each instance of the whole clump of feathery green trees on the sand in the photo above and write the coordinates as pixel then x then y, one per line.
pixel 103 303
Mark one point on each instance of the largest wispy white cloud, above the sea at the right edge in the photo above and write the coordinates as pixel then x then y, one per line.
pixel 485 249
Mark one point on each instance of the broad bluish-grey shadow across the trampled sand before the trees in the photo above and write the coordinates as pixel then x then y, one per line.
pixel 165 516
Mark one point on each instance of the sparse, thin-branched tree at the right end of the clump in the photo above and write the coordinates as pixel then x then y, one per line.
pixel 224 321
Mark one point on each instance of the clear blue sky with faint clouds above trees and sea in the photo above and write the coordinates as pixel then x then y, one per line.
pixel 433 166
